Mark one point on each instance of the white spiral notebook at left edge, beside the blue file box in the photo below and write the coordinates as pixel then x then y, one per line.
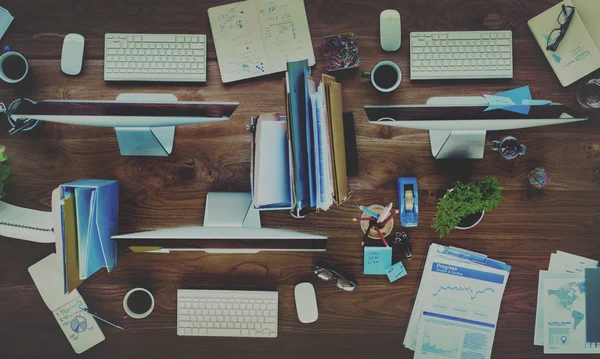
pixel 26 224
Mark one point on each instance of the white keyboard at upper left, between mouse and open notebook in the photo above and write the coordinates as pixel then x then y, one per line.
pixel 152 57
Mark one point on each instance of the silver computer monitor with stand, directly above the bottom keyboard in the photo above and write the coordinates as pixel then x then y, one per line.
pixel 231 225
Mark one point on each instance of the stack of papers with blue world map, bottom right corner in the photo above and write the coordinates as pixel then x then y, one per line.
pixel 568 298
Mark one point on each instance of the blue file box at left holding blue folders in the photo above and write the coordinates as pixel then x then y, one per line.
pixel 97 208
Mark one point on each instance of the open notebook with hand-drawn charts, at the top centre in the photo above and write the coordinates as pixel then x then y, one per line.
pixel 258 37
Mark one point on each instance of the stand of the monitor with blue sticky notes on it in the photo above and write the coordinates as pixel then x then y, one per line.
pixel 469 144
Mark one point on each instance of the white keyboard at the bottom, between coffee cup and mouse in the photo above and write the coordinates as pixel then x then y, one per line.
pixel 227 313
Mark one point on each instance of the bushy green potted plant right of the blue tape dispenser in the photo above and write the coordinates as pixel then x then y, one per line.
pixel 464 205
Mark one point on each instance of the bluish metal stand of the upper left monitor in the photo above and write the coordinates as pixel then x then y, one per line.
pixel 146 141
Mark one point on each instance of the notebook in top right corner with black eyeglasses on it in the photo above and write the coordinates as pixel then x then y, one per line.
pixel 579 51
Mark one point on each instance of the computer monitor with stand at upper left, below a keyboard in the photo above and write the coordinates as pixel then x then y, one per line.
pixel 144 123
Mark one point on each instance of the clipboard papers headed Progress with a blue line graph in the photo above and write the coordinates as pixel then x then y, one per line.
pixel 457 306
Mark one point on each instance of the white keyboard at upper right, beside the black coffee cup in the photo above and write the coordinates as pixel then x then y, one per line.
pixel 461 55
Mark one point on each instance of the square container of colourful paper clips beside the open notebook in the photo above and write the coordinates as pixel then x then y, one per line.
pixel 341 52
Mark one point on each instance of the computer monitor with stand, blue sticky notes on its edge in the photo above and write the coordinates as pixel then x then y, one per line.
pixel 457 125
